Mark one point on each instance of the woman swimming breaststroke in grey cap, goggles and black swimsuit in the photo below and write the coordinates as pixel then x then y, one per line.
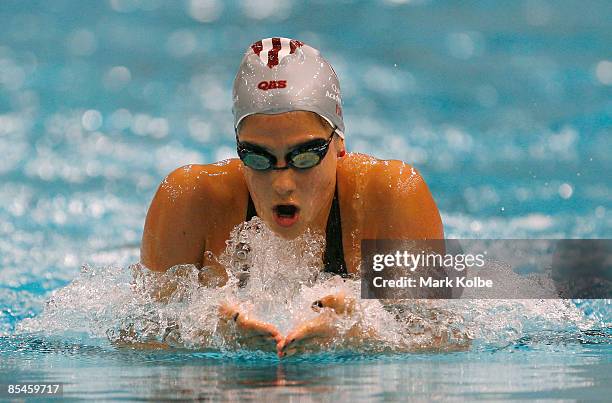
pixel 294 173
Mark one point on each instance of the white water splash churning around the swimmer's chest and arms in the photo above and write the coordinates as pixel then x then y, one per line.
pixel 277 281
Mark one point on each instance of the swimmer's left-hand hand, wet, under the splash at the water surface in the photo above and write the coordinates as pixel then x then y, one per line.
pixel 241 331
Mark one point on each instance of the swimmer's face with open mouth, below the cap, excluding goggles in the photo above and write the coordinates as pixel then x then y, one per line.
pixel 291 200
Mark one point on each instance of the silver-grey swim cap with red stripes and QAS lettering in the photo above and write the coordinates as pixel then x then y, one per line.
pixel 279 75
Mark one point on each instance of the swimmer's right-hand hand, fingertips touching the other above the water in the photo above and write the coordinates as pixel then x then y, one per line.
pixel 321 331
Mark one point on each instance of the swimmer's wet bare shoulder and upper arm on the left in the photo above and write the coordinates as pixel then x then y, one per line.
pixel 193 209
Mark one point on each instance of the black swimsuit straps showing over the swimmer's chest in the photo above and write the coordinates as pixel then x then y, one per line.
pixel 334 253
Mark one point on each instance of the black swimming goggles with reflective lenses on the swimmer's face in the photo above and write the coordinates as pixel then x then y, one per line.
pixel 304 156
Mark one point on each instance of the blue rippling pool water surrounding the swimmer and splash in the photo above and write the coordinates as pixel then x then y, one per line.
pixel 504 107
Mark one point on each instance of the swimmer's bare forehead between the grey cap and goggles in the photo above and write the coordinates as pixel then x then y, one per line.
pixel 283 129
